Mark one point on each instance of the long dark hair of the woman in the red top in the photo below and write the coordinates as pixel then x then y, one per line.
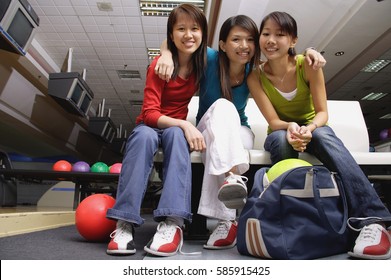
pixel 199 56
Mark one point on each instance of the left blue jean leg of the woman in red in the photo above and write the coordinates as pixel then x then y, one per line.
pixel 137 164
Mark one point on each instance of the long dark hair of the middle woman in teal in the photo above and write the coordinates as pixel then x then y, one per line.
pixel 249 25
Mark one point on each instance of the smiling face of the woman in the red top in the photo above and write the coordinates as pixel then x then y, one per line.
pixel 186 35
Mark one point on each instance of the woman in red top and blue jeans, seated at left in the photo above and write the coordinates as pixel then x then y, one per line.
pixel 162 122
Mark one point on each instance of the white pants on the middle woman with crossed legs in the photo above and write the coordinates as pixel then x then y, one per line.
pixel 227 142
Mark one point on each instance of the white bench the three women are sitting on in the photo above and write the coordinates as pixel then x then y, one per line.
pixel 345 117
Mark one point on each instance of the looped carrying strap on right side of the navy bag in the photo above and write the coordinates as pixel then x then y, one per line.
pixel 319 204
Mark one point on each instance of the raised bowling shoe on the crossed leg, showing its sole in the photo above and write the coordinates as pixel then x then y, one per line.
pixel 233 192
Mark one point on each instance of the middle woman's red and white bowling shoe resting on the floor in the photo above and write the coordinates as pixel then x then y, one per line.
pixel 223 236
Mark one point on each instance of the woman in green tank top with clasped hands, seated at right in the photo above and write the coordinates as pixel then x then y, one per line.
pixel 292 97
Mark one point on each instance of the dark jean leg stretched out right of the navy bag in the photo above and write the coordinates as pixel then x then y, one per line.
pixel 363 201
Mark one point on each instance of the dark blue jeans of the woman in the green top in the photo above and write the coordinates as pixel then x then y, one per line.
pixel 362 198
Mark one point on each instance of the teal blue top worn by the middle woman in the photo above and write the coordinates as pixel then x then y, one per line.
pixel 210 89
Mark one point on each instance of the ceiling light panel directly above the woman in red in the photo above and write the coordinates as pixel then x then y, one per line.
pixel 164 7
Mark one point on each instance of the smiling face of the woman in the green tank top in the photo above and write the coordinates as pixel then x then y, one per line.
pixel 274 42
